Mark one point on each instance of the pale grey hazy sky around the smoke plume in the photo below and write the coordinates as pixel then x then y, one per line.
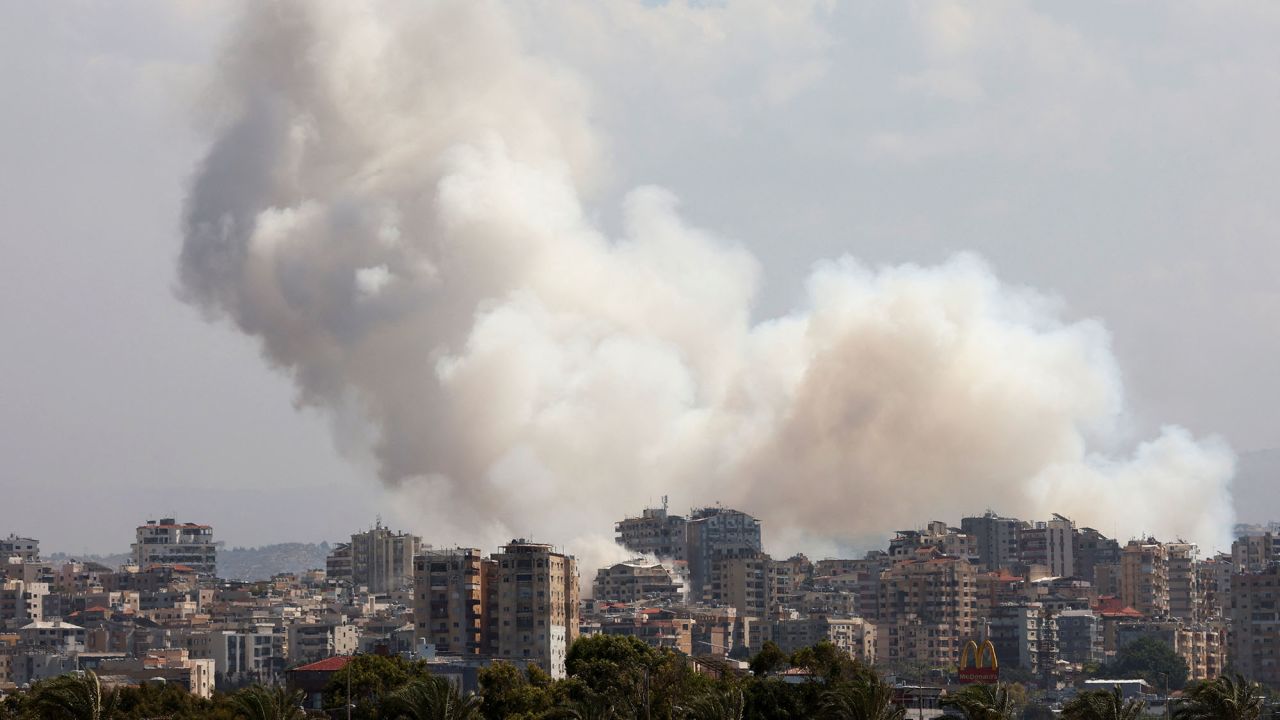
pixel 1122 161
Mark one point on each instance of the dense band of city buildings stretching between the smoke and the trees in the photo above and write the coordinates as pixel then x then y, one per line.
pixel 1058 603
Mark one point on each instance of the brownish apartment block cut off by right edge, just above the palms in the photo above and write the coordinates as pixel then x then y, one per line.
pixel 1256 626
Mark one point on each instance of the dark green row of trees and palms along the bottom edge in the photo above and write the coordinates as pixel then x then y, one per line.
pixel 610 678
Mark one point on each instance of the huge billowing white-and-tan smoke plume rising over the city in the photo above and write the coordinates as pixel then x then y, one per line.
pixel 395 208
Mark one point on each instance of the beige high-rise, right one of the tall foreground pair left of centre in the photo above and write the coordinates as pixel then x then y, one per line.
pixel 538 612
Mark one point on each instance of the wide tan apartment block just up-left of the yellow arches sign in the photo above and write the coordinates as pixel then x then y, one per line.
pixel 939 595
